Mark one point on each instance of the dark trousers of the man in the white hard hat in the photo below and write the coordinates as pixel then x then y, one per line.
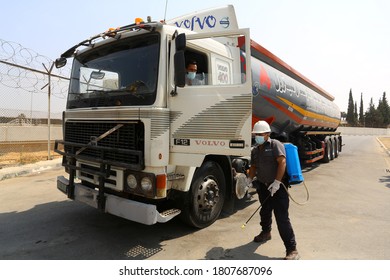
pixel 279 203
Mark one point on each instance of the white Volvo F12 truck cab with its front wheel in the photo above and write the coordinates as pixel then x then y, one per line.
pixel 141 144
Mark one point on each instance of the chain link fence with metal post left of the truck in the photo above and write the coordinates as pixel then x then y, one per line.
pixel 32 98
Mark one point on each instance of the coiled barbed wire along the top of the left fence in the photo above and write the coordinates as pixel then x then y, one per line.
pixel 23 68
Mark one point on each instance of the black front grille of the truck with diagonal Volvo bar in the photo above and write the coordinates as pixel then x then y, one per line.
pixel 129 137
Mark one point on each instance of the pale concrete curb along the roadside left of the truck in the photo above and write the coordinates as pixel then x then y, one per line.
pixel 12 172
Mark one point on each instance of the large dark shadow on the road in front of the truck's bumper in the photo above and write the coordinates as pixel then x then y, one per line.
pixel 68 230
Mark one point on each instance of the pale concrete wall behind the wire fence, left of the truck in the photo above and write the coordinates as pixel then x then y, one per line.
pixel 29 133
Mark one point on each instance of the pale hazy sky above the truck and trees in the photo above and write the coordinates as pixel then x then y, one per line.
pixel 341 45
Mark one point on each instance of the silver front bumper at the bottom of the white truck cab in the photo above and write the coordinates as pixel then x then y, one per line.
pixel 131 210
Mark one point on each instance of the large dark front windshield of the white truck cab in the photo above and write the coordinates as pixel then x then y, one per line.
pixel 123 73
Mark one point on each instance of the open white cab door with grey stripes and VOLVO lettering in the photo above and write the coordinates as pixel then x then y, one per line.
pixel 214 115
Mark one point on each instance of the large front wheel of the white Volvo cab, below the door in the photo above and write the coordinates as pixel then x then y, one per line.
pixel 205 199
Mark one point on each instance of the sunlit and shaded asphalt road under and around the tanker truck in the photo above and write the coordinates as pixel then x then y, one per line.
pixel 346 218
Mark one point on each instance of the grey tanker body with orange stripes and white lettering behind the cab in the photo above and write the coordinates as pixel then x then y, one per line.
pixel 286 99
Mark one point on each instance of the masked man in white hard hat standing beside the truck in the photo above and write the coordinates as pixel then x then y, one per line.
pixel 268 165
